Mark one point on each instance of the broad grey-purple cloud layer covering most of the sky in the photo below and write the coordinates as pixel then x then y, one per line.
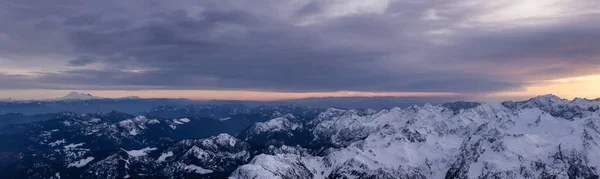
pixel 235 45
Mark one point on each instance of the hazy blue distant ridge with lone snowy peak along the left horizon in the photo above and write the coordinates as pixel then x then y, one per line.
pixel 88 103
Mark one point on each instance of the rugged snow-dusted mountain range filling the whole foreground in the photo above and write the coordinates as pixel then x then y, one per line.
pixel 543 137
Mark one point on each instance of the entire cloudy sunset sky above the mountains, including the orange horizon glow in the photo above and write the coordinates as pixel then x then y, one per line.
pixel 282 49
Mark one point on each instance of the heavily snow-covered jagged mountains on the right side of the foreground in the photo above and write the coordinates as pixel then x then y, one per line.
pixel 428 140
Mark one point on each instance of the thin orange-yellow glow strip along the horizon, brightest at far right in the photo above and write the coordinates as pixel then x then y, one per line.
pixel 583 87
